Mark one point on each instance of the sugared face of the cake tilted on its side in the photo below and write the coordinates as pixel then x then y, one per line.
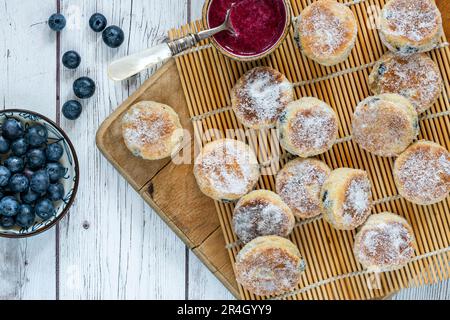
pixel 358 201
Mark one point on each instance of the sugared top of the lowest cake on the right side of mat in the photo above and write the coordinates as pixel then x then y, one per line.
pixel 387 244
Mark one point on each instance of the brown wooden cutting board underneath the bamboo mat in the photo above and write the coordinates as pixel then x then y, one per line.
pixel 171 189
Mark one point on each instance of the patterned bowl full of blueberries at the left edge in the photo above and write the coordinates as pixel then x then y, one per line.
pixel 39 173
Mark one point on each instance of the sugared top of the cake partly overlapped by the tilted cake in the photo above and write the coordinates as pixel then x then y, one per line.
pixel 299 186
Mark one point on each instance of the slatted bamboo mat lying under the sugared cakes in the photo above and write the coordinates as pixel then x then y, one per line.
pixel 332 272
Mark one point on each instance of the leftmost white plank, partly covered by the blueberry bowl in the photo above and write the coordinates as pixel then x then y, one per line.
pixel 27 80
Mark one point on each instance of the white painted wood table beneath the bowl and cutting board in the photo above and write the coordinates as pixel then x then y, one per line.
pixel 111 245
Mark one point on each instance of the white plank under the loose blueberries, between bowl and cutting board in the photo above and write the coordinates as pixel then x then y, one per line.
pixel 112 244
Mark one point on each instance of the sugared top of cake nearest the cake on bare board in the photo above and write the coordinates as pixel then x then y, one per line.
pixel 228 168
